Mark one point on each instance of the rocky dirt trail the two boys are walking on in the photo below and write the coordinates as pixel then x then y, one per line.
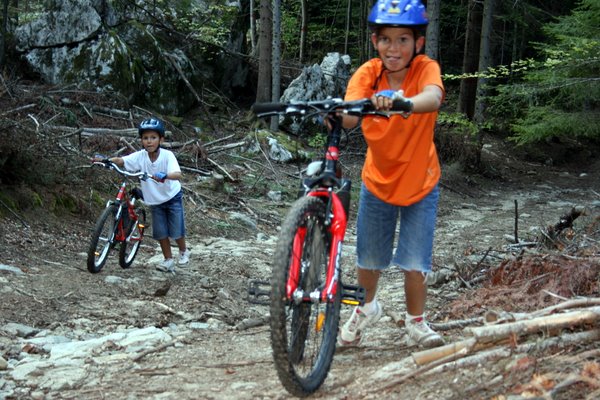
pixel 140 333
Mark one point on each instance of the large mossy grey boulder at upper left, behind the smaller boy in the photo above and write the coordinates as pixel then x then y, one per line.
pixel 93 44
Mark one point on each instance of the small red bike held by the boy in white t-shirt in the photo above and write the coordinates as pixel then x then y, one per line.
pixel 122 221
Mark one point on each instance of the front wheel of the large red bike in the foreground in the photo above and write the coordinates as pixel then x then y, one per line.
pixel 303 334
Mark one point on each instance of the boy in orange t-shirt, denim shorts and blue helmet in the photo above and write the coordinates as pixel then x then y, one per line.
pixel 401 170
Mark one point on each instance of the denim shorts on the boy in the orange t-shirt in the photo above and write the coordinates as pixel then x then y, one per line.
pixel 376 228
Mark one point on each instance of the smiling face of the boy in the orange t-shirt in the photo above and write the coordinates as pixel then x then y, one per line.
pixel 396 46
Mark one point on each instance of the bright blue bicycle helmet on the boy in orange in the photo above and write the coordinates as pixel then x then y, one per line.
pixel 405 13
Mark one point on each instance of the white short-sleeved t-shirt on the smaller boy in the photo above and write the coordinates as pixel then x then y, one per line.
pixel 155 192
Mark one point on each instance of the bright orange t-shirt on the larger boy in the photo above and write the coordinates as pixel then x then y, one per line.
pixel 402 165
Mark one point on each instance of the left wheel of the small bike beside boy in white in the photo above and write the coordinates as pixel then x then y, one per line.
pixel 102 239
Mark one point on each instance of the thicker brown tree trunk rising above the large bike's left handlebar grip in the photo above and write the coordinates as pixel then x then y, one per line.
pixel 263 89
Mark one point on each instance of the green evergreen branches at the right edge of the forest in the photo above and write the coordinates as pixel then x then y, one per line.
pixel 559 95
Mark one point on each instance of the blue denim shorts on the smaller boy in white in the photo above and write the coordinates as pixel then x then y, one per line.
pixel 168 220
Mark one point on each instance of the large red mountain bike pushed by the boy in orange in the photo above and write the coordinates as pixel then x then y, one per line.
pixel 306 290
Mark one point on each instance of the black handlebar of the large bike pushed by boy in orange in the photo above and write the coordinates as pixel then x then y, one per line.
pixel 330 106
